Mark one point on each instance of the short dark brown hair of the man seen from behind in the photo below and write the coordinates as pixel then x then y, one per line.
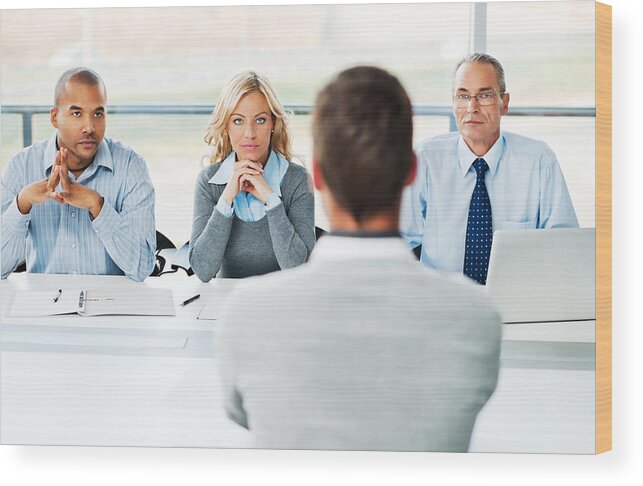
pixel 363 140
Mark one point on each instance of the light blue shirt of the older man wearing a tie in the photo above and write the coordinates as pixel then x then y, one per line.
pixel 525 184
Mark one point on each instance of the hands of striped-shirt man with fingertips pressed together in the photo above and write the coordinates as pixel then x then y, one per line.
pixel 72 193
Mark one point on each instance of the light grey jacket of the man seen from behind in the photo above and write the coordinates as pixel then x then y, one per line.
pixel 361 348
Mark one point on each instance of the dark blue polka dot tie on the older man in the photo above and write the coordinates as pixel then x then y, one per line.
pixel 479 228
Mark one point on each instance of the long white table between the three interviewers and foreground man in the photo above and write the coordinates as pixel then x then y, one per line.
pixel 152 381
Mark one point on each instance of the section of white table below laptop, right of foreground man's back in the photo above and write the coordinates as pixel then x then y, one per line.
pixel 544 400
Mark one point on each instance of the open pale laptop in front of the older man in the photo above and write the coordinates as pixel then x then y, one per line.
pixel 543 275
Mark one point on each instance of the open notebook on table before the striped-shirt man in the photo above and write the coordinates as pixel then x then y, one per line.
pixel 142 301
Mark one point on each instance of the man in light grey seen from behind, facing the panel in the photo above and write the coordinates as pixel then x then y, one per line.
pixel 361 348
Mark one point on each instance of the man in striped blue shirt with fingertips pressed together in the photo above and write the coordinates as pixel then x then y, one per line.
pixel 78 203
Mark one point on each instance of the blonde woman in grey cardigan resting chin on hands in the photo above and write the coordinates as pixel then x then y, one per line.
pixel 253 208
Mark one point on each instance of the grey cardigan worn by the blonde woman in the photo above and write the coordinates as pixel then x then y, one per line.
pixel 233 248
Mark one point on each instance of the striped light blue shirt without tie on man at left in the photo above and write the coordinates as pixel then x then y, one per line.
pixel 57 238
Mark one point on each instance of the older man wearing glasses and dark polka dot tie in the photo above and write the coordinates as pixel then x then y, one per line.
pixel 480 179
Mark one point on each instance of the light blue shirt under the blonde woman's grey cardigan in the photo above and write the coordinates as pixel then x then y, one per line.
pixel 245 205
